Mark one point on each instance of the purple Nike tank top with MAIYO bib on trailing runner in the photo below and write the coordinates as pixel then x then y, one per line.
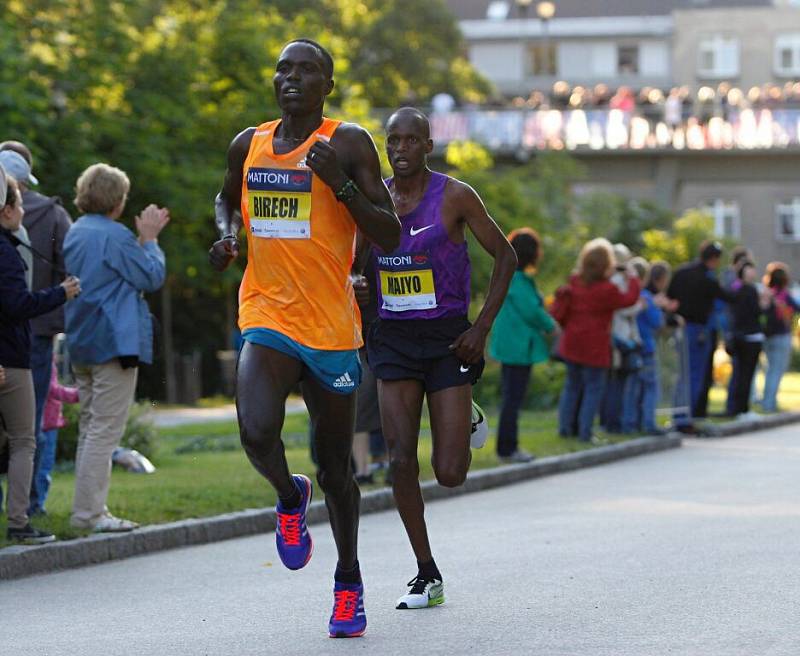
pixel 427 276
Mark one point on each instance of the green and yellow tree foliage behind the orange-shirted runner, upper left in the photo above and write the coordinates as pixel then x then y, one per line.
pixel 160 87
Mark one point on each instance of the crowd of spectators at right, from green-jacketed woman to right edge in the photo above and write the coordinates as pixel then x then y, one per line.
pixel 605 324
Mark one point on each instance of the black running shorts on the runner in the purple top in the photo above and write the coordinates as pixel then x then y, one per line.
pixel 419 349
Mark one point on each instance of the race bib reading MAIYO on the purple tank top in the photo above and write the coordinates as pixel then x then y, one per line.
pixel 406 282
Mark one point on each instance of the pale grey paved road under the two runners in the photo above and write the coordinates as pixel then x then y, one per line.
pixel 693 551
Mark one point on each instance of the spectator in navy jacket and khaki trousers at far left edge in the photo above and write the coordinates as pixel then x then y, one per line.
pixel 17 406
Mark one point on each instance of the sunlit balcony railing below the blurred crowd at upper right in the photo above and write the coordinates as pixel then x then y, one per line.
pixel 523 131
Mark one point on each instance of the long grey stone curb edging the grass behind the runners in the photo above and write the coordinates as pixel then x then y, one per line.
pixel 20 561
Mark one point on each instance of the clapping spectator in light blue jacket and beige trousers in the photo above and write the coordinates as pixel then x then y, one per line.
pixel 109 329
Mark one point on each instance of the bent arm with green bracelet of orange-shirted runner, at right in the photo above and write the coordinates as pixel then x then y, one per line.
pixel 350 166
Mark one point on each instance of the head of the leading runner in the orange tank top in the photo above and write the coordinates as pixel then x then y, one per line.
pixel 300 81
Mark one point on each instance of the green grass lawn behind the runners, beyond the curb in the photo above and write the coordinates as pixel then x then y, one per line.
pixel 193 481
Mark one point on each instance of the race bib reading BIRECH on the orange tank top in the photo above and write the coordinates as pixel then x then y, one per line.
pixel 279 203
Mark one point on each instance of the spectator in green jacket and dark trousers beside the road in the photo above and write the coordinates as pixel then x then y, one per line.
pixel 519 340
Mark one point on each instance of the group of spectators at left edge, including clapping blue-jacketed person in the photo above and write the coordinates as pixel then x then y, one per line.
pixel 86 280
